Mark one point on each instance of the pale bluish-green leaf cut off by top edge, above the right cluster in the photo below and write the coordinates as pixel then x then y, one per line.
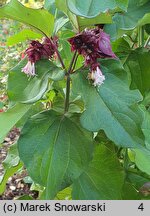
pixel 93 8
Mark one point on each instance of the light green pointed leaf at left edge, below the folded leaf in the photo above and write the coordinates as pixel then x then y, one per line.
pixel 9 118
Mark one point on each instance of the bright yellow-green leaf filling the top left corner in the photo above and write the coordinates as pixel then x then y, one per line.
pixel 40 19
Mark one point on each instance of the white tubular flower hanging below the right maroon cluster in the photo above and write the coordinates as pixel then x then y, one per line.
pixel 97 77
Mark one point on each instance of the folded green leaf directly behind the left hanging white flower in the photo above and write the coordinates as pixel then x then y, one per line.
pixel 25 90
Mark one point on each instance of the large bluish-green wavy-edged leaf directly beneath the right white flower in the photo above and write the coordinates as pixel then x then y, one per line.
pixel 111 107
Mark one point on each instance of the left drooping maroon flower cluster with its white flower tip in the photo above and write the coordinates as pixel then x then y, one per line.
pixel 37 51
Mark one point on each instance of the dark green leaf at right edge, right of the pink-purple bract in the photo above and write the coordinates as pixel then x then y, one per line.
pixel 138 64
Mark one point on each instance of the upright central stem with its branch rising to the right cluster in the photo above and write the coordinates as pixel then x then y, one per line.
pixel 68 83
